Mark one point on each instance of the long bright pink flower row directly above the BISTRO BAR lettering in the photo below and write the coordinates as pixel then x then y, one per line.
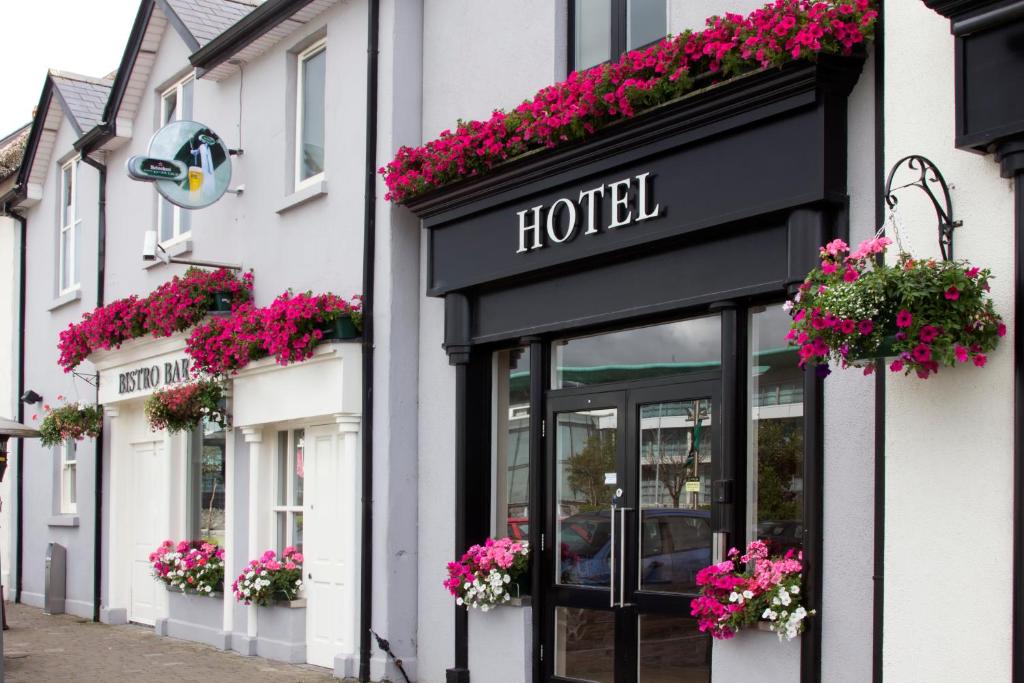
pixel 175 307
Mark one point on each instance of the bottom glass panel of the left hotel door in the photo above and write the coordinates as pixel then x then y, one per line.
pixel 585 645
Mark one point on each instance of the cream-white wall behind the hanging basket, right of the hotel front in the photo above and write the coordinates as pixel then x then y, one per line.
pixel 949 440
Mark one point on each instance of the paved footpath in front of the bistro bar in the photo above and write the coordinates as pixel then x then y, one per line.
pixel 42 649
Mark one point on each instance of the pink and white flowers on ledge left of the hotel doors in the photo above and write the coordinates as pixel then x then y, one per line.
pixel 487 575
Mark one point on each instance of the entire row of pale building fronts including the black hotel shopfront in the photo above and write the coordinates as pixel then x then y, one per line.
pixel 498 356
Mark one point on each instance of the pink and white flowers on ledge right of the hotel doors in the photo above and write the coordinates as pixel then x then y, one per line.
pixel 734 597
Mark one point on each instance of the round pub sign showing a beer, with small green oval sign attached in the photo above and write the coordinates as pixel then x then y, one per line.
pixel 188 163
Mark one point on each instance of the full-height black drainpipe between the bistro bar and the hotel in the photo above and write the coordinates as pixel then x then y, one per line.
pixel 369 253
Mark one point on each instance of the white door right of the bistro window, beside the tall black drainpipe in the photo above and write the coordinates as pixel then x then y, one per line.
pixel 329 522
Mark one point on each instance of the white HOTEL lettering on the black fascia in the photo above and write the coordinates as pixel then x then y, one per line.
pixel 630 204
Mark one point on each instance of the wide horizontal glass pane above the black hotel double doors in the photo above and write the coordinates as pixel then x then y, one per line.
pixel 660 351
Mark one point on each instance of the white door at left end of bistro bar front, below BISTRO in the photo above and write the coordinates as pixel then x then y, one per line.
pixel 147 491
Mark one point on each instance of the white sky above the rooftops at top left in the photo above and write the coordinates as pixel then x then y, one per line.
pixel 81 36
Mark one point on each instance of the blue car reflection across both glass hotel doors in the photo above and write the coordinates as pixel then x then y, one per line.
pixel 675 545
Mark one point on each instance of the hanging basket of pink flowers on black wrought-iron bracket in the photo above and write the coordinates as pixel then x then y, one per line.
pixel 922 313
